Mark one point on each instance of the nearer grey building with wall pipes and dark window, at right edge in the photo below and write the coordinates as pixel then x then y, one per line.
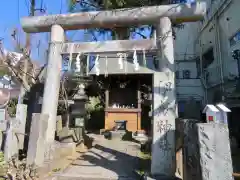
pixel 217 36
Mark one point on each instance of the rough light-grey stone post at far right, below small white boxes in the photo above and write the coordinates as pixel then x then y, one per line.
pixel 215 153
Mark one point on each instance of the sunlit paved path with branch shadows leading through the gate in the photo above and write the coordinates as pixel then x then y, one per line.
pixel 107 160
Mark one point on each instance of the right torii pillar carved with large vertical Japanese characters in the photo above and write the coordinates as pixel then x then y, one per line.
pixel 164 102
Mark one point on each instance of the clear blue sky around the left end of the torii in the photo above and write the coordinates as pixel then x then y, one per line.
pixel 12 10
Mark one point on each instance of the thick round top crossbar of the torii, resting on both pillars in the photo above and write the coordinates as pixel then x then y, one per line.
pixel 115 18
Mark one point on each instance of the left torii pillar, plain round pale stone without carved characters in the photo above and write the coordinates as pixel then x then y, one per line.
pixel 52 82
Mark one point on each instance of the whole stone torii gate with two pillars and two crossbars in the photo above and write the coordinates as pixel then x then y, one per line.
pixel 164 103
